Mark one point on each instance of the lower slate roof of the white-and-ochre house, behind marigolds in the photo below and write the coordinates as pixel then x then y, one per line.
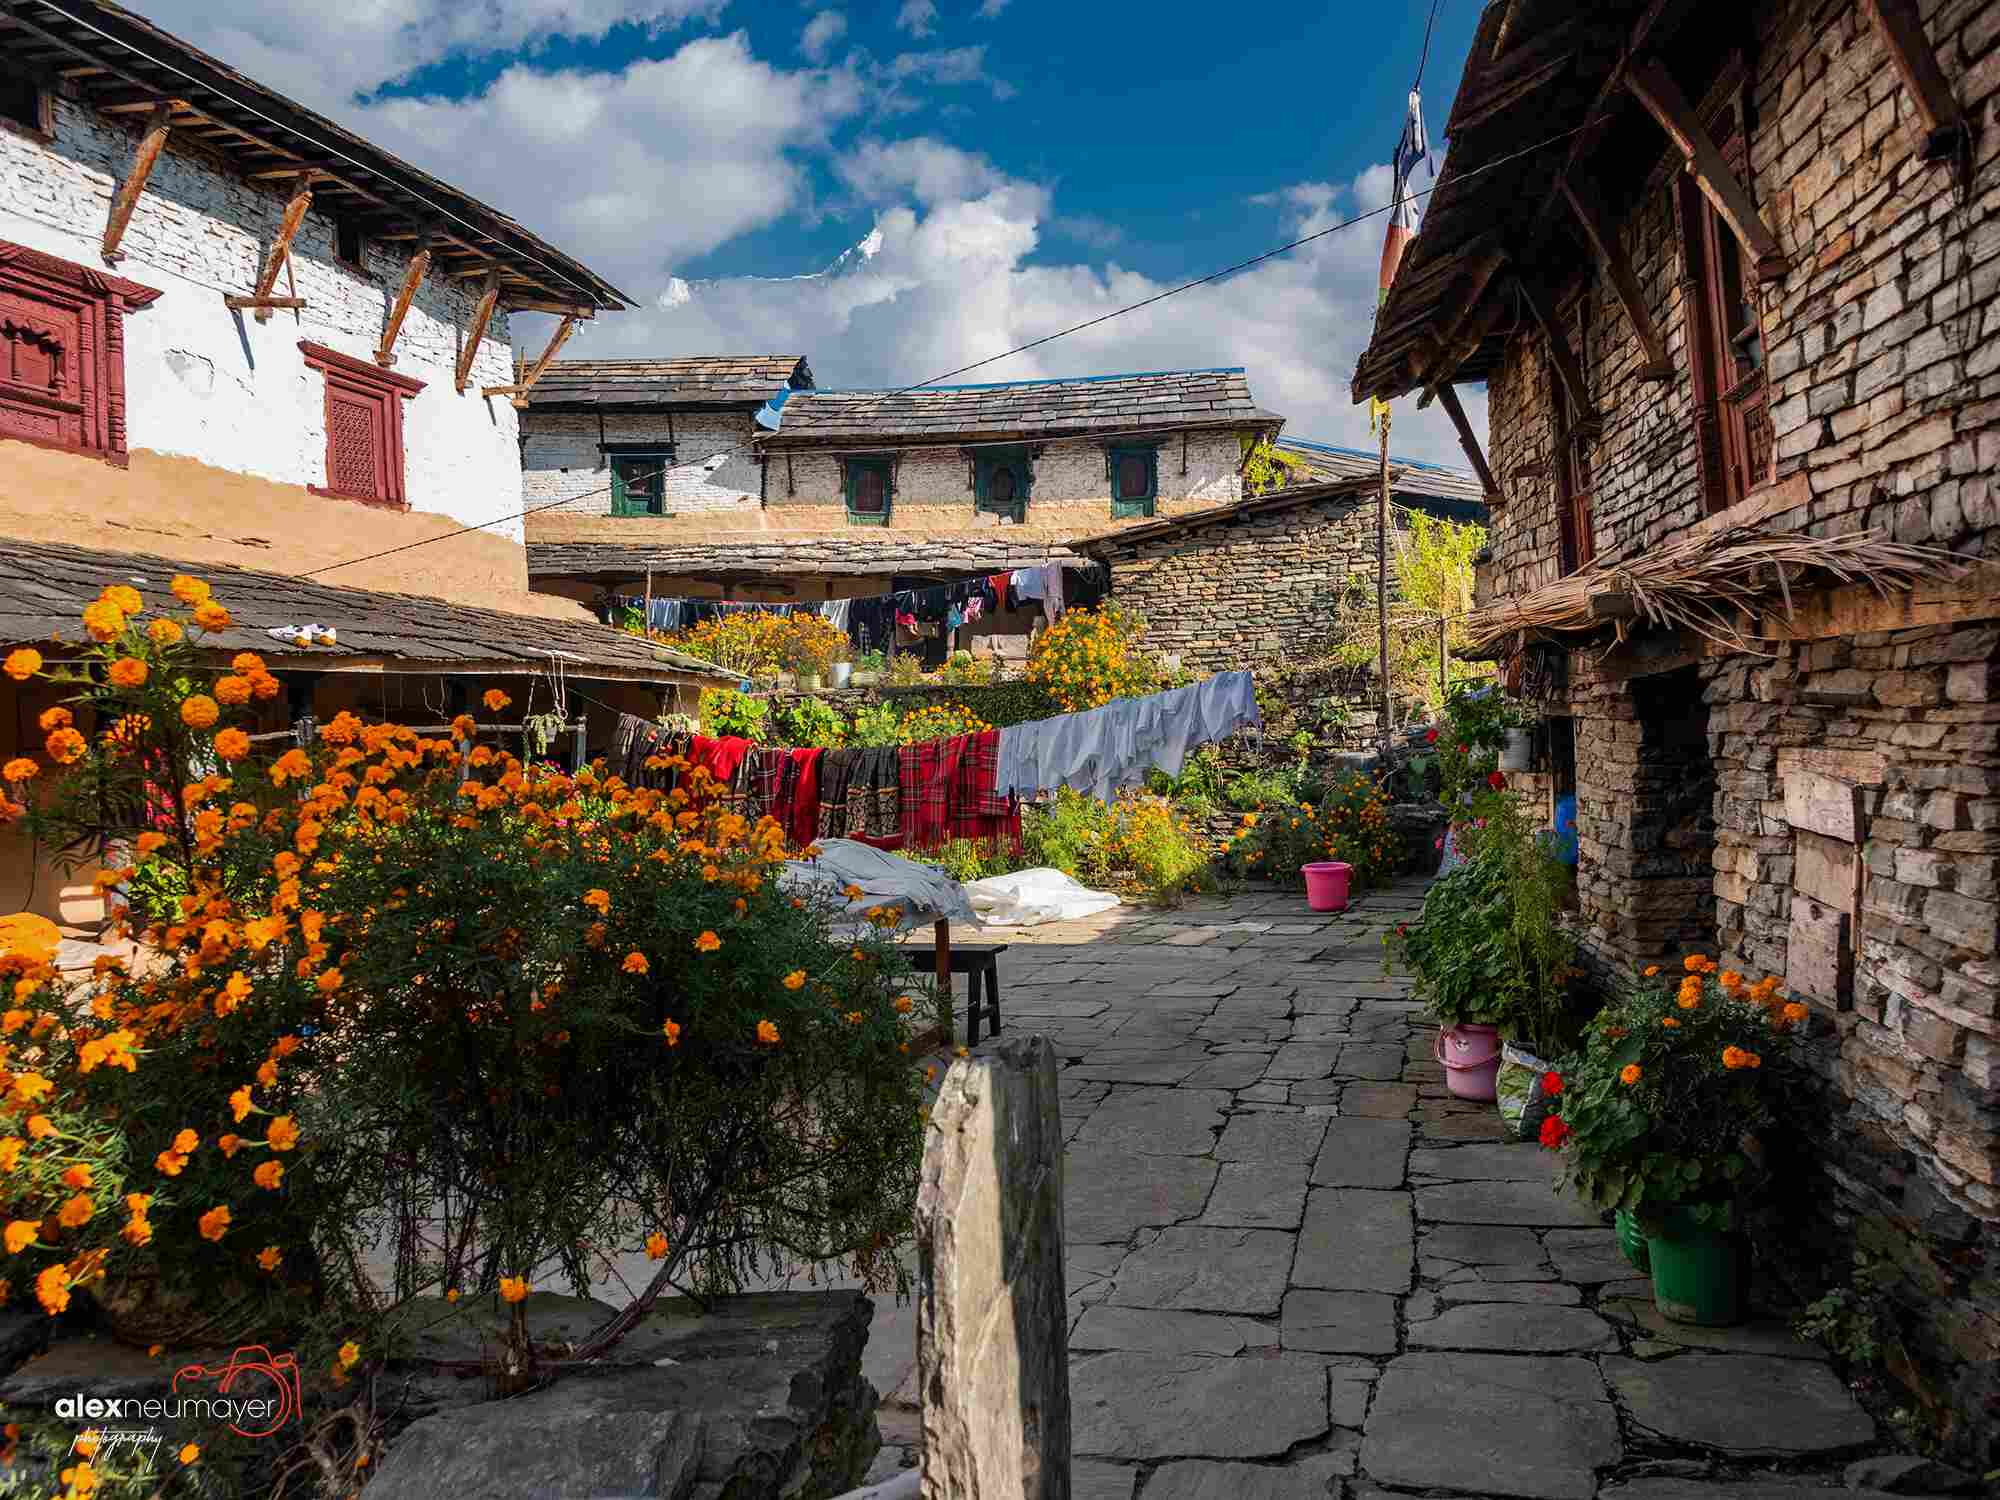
pixel 45 587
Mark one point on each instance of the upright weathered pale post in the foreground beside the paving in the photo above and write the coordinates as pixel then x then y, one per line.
pixel 993 1319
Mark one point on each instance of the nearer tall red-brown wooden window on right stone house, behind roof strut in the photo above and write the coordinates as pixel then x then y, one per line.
pixel 1731 399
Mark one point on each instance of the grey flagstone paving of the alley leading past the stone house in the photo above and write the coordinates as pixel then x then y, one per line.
pixel 1297 1267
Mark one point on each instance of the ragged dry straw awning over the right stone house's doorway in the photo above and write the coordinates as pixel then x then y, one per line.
pixel 1711 585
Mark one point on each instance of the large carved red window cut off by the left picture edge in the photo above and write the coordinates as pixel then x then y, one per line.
pixel 63 353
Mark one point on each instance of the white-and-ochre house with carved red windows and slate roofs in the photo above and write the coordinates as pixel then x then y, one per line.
pixel 247 345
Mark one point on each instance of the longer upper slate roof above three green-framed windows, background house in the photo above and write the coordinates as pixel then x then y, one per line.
pixel 1019 409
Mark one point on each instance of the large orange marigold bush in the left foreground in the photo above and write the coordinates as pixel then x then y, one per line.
pixel 487 1021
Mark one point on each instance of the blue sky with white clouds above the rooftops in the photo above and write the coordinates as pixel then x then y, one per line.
pixel 901 187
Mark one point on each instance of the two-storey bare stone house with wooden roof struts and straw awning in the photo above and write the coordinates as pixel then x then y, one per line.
pixel 1731 281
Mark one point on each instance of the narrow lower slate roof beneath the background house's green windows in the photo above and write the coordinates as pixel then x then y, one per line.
pixel 817 557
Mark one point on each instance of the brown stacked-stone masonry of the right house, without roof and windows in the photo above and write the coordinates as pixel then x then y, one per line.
pixel 1883 349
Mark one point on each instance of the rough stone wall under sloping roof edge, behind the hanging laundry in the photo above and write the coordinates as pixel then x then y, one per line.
pixel 1251 589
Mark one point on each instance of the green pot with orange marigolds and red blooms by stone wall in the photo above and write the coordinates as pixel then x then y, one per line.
pixel 1659 1119
